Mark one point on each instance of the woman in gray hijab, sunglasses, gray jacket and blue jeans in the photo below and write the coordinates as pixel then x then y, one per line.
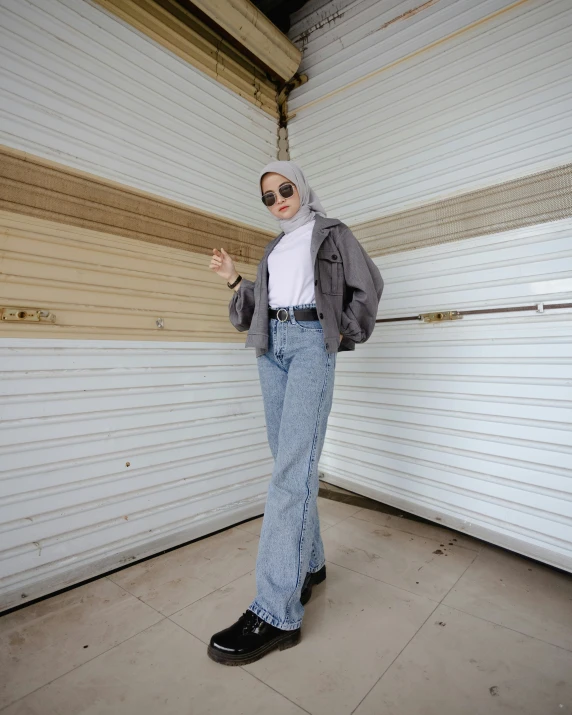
pixel 316 293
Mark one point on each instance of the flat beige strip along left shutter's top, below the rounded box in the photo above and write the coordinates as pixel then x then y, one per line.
pixel 176 29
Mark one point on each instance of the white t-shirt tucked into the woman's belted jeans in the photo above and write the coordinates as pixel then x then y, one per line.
pixel 290 269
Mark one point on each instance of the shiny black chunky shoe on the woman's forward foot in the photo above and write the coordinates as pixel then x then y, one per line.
pixel 248 640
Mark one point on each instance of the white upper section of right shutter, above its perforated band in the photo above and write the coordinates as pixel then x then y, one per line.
pixel 405 108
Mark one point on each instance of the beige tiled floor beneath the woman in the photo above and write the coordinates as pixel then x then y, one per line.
pixel 412 620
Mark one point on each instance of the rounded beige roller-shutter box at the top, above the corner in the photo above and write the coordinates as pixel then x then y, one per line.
pixel 245 22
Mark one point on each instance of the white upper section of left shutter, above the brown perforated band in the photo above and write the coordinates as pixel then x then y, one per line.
pixel 81 87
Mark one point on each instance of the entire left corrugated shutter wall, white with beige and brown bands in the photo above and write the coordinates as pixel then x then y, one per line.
pixel 112 450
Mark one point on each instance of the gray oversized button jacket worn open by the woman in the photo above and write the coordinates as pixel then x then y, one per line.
pixel 348 286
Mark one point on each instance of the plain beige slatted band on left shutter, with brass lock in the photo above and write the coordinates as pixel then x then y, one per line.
pixel 105 286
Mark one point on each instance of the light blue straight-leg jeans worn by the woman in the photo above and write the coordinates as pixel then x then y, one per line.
pixel 297 380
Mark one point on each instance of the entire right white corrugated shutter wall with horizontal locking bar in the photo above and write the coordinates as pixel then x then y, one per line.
pixel 407 104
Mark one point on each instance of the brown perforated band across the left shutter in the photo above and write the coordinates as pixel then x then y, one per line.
pixel 42 188
